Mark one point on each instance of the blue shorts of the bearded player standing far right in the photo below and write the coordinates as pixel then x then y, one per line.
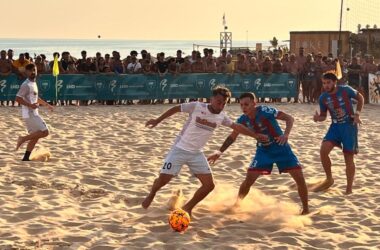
pixel 344 135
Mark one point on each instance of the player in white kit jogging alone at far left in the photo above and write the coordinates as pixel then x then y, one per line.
pixel 27 96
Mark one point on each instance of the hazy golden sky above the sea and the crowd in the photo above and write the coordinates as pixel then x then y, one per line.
pixel 174 19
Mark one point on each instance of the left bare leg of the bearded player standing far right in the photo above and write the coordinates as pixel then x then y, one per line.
pixel 326 148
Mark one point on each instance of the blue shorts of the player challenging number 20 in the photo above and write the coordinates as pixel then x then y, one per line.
pixel 283 156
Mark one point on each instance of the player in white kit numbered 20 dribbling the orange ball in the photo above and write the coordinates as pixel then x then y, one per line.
pixel 203 119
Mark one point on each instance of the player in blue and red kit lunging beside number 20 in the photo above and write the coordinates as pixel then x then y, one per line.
pixel 275 149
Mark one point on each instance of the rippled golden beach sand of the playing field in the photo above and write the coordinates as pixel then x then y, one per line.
pixel 87 195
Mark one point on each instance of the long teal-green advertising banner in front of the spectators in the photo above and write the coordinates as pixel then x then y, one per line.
pixel 134 87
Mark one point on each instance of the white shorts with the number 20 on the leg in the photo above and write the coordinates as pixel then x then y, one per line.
pixel 178 157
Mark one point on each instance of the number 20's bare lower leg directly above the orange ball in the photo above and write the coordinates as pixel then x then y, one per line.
pixel 207 186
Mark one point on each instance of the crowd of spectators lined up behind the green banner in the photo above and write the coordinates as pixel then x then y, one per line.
pixel 308 68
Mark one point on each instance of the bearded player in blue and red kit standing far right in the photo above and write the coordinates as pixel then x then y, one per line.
pixel 343 131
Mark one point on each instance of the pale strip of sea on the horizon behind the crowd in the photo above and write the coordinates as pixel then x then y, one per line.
pixel 75 46
